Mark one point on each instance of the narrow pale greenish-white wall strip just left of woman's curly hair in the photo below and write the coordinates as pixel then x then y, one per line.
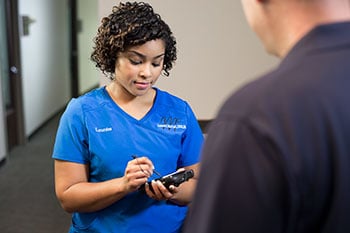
pixel 88 16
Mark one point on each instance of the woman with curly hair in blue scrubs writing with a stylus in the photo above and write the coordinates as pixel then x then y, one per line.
pixel 111 140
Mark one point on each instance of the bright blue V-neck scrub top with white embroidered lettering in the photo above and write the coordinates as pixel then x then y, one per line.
pixel 94 130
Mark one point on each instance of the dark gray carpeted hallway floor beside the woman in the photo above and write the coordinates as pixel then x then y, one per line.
pixel 27 199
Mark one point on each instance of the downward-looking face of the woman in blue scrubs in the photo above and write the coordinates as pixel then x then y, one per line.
pixel 138 68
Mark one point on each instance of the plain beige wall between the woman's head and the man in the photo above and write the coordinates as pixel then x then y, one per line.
pixel 217 51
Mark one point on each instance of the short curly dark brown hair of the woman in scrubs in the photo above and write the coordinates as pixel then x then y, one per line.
pixel 131 24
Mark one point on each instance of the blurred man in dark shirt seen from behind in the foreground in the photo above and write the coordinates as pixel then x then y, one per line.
pixel 277 157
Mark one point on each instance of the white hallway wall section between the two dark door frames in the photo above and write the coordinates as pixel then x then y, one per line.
pixel 45 61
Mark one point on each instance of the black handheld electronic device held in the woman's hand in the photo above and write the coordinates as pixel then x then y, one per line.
pixel 175 178
